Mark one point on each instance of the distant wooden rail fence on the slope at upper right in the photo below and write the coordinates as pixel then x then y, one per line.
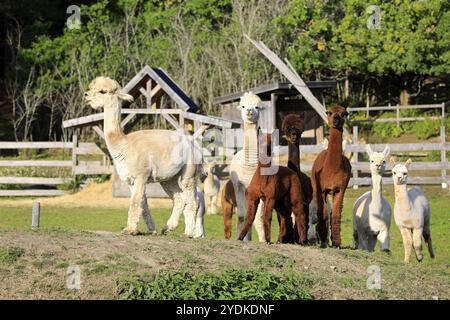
pixel 397 108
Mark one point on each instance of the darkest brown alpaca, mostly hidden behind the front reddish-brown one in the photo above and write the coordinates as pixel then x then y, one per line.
pixel 293 127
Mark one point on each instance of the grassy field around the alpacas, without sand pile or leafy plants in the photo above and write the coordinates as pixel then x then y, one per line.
pixel 70 224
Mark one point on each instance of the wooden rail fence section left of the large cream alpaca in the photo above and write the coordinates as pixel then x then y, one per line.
pixel 76 166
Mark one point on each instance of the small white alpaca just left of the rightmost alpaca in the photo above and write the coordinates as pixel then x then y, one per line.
pixel 372 212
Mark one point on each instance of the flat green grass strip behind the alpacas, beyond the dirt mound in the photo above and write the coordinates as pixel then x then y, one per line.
pixel 114 219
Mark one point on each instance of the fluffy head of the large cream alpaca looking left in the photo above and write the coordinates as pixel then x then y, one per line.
pixel 103 91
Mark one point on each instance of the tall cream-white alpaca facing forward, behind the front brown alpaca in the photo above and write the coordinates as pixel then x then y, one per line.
pixel 244 163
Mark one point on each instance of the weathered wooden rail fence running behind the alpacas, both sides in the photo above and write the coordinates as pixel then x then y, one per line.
pixel 104 167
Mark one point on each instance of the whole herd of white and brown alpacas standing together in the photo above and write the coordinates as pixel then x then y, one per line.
pixel 257 186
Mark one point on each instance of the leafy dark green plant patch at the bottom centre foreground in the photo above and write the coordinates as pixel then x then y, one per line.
pixel 229 284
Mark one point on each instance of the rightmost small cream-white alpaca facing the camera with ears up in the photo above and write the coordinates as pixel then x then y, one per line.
pixel 411 212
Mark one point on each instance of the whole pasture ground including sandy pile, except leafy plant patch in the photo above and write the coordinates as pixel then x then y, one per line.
pixel 85 231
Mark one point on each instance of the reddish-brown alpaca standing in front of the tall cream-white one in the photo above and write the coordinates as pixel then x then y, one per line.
pixel 280 189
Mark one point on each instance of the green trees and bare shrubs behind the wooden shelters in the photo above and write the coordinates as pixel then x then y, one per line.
pixel 200 44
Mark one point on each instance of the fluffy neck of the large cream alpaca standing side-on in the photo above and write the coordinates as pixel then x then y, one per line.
pixel 111 123
